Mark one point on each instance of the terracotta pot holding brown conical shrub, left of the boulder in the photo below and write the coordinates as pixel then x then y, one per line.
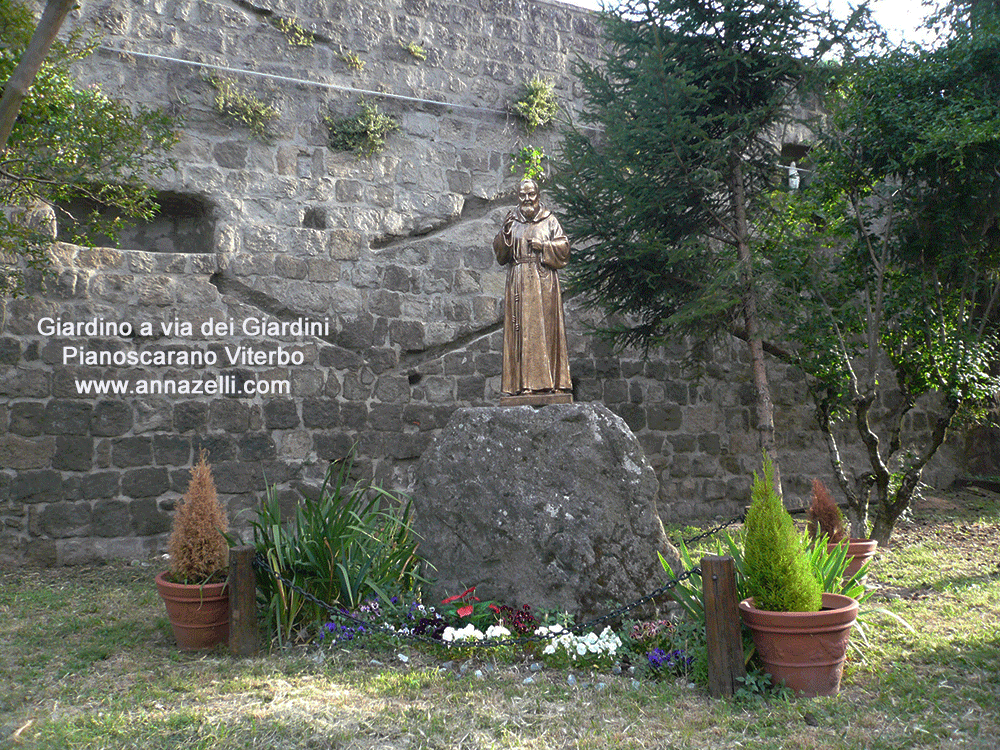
pixel 199 615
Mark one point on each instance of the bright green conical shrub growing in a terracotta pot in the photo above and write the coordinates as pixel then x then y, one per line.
pixel 779 573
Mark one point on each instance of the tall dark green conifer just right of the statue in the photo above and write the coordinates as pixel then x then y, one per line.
pixel 688 96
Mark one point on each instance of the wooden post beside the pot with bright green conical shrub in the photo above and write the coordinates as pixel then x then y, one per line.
pixel 722 625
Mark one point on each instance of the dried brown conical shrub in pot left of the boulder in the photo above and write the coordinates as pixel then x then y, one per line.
pixel 197 547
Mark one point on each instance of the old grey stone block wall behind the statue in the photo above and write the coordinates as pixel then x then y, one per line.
pixel 386 261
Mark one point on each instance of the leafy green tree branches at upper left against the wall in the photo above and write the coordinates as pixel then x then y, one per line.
pixel 65 144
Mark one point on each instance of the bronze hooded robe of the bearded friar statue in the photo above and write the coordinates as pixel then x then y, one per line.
pixel 535 358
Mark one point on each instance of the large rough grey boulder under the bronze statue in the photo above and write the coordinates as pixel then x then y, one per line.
pixel 553 507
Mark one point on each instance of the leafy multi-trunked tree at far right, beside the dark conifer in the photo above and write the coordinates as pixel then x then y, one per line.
pixel 893 257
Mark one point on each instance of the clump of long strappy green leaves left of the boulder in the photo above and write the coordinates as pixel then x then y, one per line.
pixel 350 543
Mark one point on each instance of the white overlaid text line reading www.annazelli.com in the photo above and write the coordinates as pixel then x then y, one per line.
pixel 220 385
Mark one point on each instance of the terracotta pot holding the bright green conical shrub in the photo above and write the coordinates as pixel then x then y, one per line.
pixel 806 650
